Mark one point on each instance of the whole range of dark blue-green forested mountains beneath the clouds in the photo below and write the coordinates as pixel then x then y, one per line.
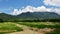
pixel 30 16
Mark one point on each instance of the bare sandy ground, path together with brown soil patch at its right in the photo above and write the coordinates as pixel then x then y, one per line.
pixel 27 30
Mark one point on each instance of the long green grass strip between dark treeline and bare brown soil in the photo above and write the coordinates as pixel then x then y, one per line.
pixel 41 24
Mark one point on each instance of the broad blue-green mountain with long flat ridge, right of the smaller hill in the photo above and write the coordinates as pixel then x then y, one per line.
pixel 39 15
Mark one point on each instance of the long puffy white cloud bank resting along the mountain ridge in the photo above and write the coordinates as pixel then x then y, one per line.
pixel 35 9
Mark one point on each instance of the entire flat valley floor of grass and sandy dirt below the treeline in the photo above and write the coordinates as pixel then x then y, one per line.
pixel 29 28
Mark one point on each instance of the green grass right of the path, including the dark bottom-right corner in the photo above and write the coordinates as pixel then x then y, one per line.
pixel 40 25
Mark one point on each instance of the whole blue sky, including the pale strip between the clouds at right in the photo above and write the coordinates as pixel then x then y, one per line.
pixel 7 6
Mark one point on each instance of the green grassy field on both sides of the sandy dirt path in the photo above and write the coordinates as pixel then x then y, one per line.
pixel 8 27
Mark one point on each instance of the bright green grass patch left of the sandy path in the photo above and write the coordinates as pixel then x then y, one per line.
pixel 8 28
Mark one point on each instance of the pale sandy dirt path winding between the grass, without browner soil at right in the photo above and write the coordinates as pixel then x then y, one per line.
pixel 26 30
